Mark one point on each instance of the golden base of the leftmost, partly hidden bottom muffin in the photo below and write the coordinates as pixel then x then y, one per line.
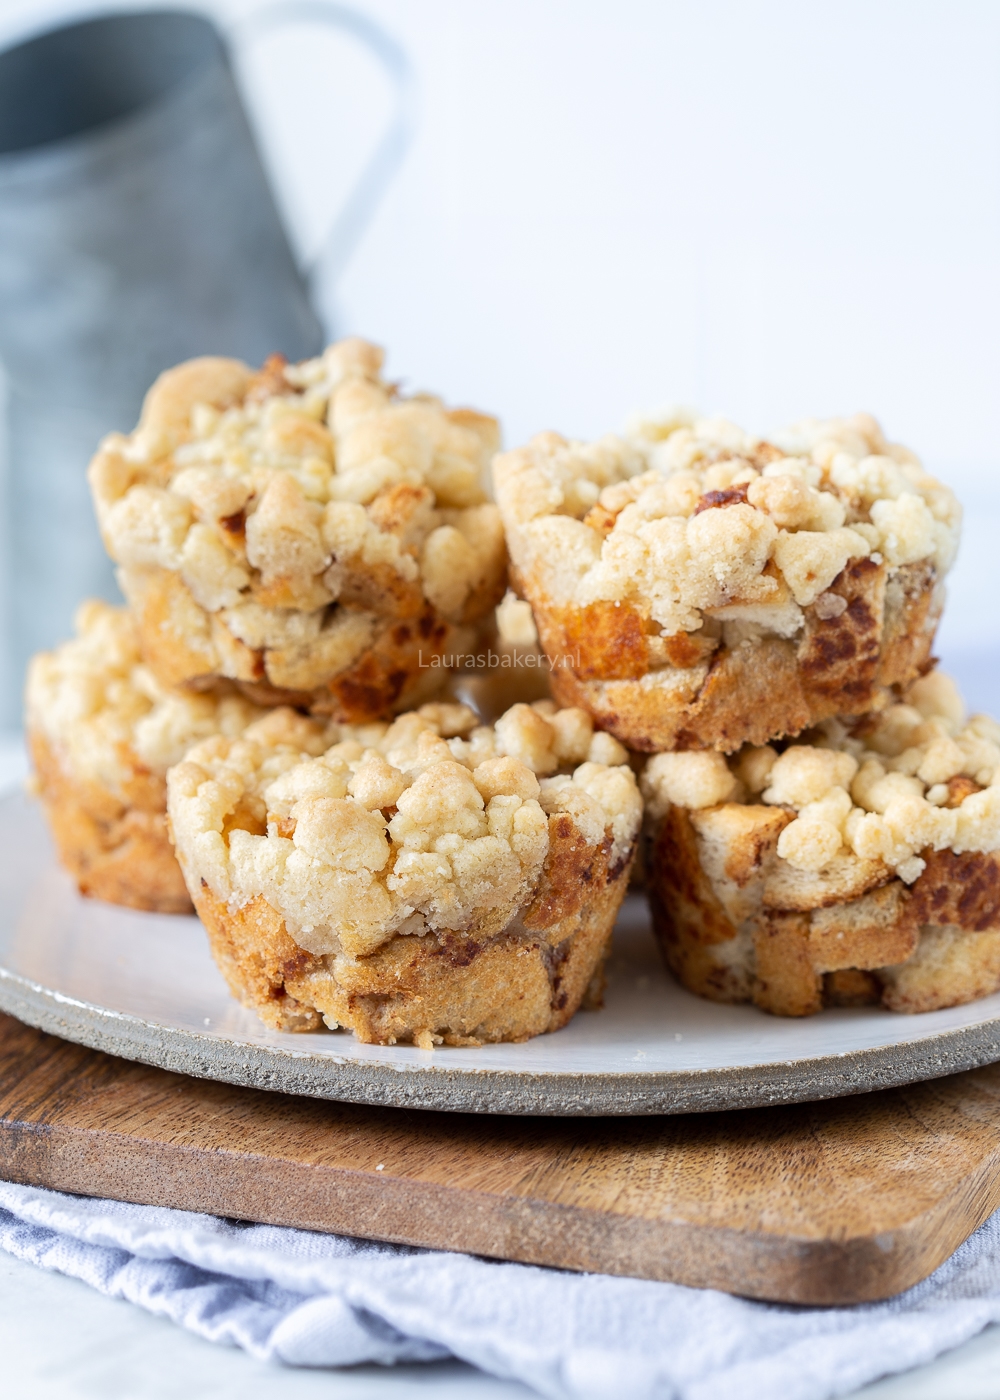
pixel 117 852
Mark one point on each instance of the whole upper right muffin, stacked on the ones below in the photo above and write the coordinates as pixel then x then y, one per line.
pixel 698 587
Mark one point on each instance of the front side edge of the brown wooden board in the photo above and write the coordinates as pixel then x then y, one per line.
pixel 527 1230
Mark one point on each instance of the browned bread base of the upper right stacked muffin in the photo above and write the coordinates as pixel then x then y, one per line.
pixel 758 691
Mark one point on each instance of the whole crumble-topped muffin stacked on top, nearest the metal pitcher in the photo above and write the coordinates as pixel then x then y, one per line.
pixel 303 531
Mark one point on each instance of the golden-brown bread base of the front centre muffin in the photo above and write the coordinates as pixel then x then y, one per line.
pixel 460 989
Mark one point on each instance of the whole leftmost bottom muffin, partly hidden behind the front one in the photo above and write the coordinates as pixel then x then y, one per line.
pixel 103 733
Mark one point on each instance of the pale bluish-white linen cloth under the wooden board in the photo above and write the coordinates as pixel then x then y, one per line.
pixel 312 1300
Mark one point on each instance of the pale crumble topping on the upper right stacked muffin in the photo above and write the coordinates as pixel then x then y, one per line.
pixel 695 521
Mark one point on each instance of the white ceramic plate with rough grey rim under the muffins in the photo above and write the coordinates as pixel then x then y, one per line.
pixel 144 986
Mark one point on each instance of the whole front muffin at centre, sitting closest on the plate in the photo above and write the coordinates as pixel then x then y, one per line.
pixel 431 881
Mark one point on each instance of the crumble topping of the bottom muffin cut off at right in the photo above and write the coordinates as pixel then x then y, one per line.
pixel 912 778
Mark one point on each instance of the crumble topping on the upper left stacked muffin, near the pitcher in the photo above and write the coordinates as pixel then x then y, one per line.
pixel 299 488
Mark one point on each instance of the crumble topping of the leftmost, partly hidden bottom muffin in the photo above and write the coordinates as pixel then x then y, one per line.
pixel 106 713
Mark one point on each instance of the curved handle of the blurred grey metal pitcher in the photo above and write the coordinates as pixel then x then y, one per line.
pixel 369 188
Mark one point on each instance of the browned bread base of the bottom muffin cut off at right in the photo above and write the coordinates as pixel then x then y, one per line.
pixel 914 948
